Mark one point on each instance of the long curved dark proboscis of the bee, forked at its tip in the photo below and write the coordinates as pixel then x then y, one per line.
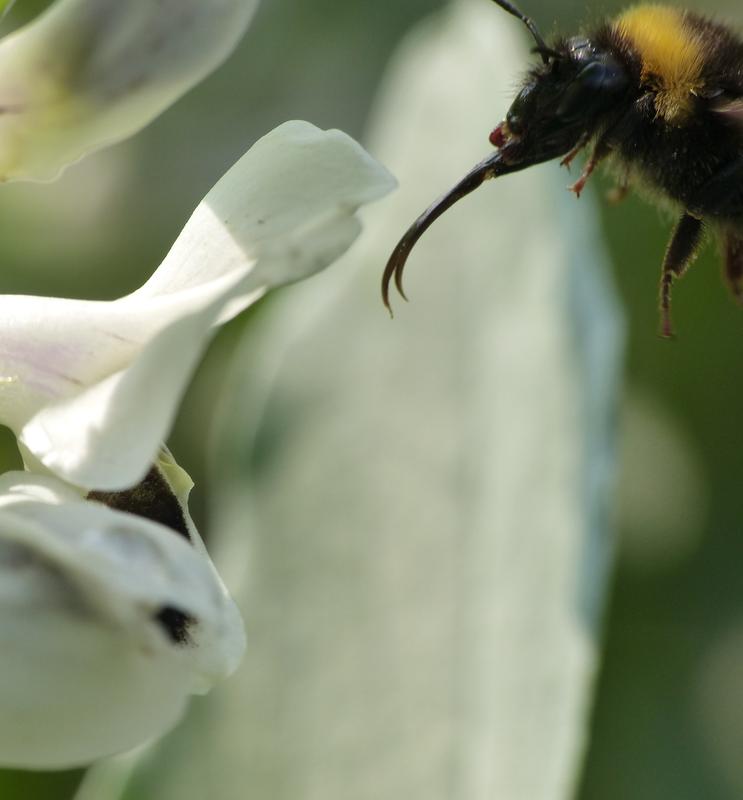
pixel 490 167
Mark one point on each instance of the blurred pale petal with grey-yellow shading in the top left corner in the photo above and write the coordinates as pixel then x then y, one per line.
pixel 88 73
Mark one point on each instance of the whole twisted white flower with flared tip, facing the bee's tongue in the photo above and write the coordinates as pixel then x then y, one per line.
pixel 91 388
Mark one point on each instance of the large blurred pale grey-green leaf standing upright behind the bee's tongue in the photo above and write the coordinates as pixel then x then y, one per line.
pixel 421 504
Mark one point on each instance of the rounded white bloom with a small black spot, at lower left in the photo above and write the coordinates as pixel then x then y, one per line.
pixel 87 670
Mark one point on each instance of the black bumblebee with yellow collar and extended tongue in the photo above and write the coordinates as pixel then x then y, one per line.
pixel 658 92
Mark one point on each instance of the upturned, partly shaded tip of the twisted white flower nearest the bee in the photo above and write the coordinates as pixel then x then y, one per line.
pixel 288 205
